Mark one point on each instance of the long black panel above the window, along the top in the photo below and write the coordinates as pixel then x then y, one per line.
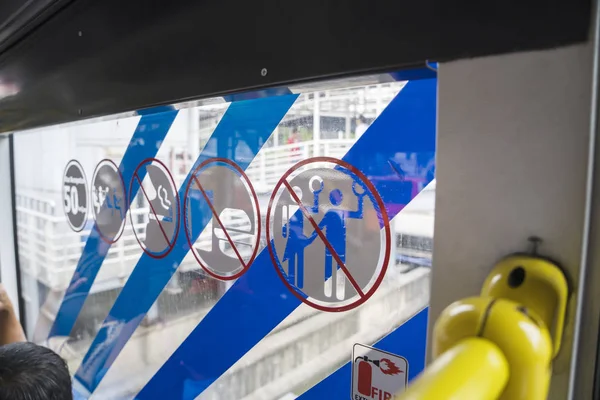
pixel 96 58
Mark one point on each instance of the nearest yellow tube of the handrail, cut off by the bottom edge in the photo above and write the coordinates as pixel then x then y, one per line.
pixel 475 368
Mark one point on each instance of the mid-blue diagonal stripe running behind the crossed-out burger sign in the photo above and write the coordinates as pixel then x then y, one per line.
pixel 242 131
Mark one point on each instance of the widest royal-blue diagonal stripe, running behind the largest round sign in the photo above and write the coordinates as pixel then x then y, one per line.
pixel 258 301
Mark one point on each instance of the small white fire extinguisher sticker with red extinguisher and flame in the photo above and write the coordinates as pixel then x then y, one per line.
pixel 377 374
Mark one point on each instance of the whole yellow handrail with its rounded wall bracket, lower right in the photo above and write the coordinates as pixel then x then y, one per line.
pixel 498 346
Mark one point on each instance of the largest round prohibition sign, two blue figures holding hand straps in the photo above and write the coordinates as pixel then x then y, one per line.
pixel 326 229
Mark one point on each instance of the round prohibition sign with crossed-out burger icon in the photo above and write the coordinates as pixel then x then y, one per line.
pixel 221 197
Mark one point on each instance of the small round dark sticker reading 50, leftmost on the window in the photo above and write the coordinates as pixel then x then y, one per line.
pixel 75 201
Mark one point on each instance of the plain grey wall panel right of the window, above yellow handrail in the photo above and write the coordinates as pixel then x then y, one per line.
pixel 513 135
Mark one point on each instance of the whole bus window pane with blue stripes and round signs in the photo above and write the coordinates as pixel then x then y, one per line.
pixel 314 189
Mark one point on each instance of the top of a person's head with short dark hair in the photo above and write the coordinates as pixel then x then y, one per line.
pixel 32 372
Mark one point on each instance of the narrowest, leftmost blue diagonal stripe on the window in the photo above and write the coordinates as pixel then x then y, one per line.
pixel 145 142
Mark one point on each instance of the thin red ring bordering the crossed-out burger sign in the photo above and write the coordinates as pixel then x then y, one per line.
pixel 236 167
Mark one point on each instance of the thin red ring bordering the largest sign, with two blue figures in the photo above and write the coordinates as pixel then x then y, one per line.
pixel 384 217
